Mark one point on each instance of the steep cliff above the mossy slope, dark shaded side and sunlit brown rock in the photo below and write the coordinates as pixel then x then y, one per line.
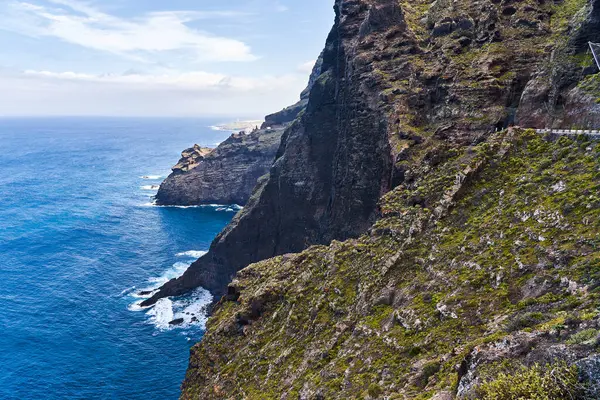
pixel 398 79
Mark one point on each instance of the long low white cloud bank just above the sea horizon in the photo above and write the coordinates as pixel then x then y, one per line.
pixel 199 93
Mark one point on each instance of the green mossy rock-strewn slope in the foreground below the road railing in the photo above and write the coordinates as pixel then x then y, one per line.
pixel 490 273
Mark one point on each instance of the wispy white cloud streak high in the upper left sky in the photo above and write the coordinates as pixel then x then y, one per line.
pixel 142 37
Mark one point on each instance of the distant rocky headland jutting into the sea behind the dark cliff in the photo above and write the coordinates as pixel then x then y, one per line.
pixel 225 175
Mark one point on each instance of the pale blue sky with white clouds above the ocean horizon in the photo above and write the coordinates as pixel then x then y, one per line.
pixel 196 58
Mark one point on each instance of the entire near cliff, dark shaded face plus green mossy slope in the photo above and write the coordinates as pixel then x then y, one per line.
pixel 451 254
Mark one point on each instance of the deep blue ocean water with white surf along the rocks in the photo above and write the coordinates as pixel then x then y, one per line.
pixel 78 240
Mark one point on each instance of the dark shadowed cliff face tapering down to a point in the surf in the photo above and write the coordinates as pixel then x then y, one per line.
pixel 333 165
